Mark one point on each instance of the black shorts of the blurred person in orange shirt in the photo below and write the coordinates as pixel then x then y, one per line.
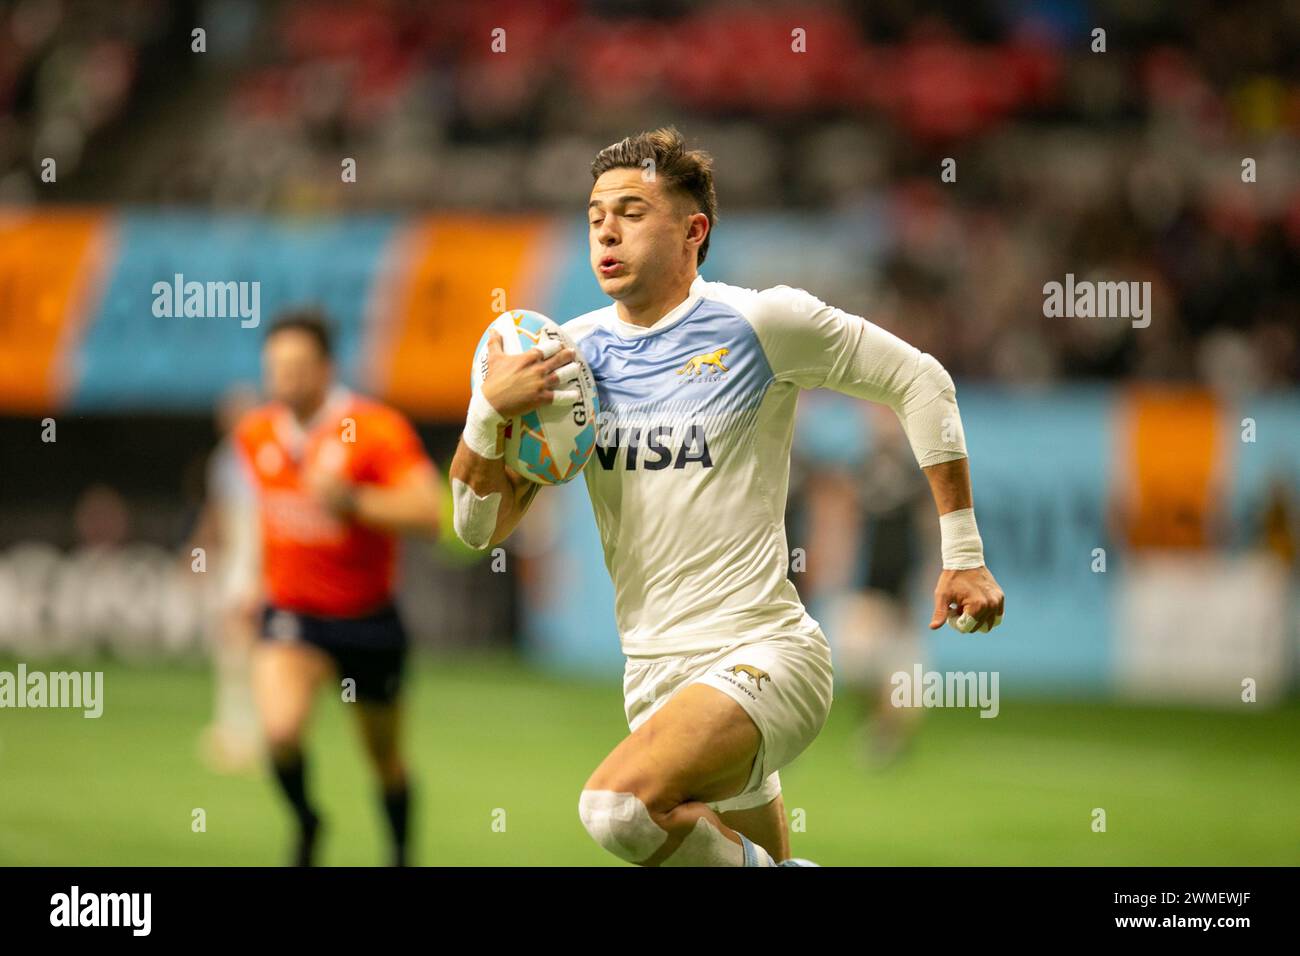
pixel 370 650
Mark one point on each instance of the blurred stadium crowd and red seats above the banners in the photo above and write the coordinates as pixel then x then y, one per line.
pixel 1125 163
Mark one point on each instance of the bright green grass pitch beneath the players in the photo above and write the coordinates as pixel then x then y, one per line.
pixel 500 755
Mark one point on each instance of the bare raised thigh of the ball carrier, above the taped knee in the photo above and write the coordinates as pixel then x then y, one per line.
pixel 699 747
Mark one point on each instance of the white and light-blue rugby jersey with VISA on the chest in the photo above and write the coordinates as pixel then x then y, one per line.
pixel 692 464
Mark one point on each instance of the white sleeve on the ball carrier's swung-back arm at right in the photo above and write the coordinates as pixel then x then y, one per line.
pixel 818 347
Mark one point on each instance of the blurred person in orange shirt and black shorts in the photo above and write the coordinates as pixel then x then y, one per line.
pixel 340 477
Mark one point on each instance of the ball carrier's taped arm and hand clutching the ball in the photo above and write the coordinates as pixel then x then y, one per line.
pixel 489 498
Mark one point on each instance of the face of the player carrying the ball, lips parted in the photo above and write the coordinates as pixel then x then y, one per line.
pixel 638 233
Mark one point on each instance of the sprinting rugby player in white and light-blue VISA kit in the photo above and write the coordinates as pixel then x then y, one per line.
pixel 729 678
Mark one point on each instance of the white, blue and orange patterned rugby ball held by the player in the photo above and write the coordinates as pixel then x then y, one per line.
pixel 553 444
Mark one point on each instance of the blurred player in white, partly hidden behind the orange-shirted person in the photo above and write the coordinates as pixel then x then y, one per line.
pixel 231 531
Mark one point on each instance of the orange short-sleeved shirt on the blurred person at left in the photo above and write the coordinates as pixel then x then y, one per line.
pixel 313 561
